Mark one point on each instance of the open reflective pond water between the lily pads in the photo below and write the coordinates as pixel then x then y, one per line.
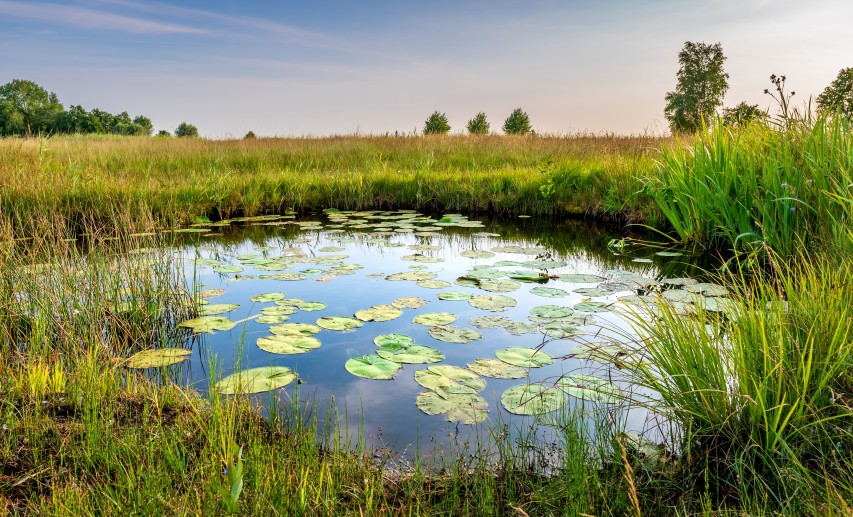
pixel 384 411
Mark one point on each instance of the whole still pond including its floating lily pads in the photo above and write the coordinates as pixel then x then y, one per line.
pixel 421 327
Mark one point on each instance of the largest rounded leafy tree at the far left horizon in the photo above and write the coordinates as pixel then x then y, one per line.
pixel 27 108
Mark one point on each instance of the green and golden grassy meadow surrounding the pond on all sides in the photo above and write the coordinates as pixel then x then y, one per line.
pixel 761 401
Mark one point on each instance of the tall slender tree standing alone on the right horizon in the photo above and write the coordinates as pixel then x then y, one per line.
pixel 700 88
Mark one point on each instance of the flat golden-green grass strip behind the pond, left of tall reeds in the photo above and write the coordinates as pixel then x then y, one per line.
pixel 92 178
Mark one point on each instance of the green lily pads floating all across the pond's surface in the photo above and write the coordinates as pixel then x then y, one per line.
pixel 452 391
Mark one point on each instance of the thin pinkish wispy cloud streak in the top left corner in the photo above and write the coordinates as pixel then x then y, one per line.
pixel 84 18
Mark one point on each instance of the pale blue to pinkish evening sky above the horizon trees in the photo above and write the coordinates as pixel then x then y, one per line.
pixel 316 68
